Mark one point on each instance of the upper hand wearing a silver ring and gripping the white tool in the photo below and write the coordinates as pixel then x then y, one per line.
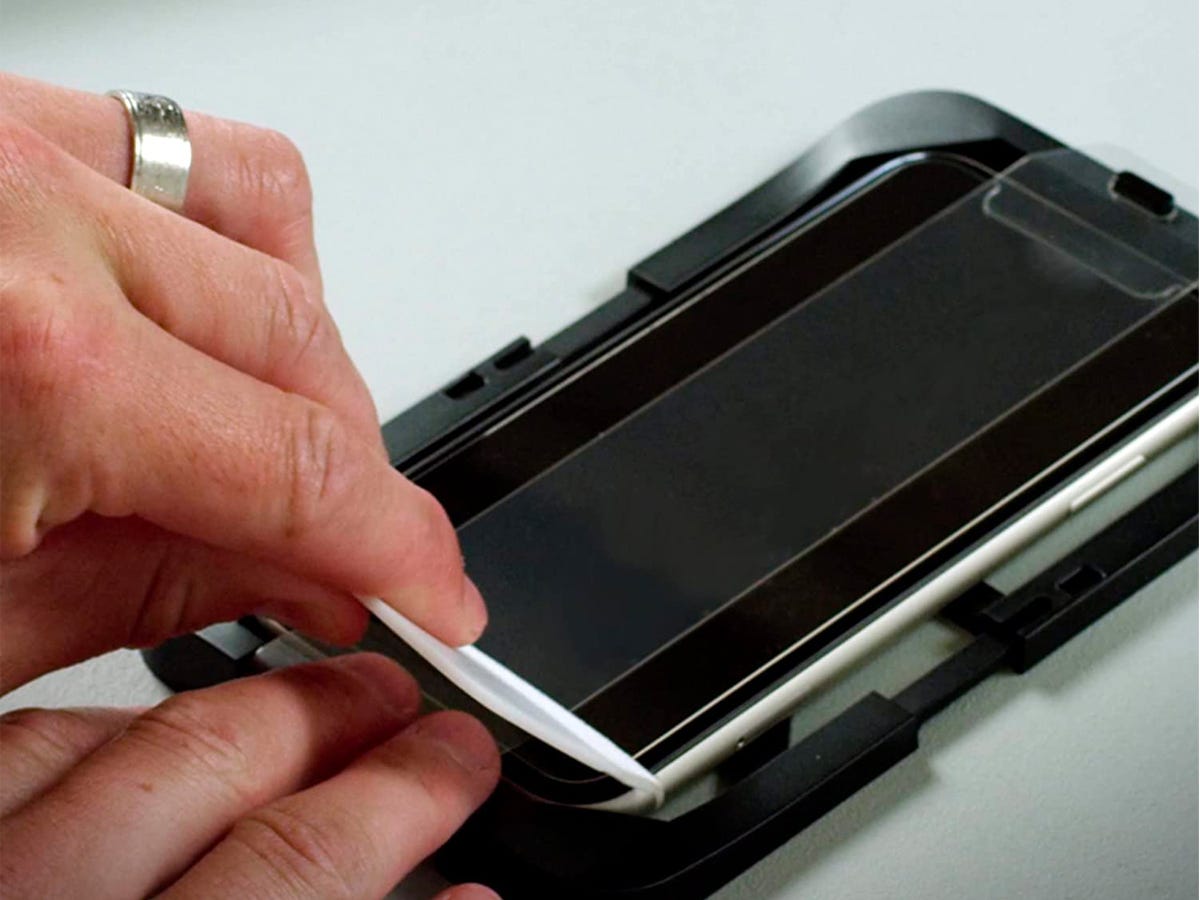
pixel 185 439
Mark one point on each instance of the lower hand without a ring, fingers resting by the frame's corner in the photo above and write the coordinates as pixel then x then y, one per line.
pixel 314 782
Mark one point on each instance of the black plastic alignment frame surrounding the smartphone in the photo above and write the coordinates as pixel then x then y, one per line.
pixel 527 848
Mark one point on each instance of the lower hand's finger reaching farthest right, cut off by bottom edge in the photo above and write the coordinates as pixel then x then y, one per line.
pixel 362 831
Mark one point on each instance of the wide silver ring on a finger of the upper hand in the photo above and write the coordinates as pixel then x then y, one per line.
pixel 163 154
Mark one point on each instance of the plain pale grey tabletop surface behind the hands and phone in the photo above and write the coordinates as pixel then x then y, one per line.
pixel 489 170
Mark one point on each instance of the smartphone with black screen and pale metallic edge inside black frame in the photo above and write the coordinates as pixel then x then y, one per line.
pixel 815 448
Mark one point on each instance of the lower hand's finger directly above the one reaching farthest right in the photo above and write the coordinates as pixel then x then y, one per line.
pixel 141 808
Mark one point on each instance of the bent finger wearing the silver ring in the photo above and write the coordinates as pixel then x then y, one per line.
pixel 247 183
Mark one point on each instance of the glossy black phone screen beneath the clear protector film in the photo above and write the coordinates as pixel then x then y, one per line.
pixel 715 530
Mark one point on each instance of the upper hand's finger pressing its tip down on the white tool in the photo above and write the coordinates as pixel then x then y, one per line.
pixel 202 449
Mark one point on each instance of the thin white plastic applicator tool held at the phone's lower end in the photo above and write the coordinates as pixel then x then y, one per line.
pixel 517 701
